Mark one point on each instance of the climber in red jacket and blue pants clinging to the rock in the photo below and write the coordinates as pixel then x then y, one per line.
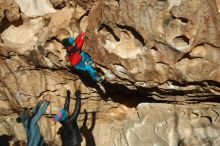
pixel 78 59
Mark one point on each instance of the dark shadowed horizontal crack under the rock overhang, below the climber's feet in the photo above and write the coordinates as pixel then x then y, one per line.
pixel 119 93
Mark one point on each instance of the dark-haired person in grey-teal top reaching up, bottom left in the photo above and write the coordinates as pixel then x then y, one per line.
pixel 30 119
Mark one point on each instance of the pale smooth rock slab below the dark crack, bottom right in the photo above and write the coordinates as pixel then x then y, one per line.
pixel 173 125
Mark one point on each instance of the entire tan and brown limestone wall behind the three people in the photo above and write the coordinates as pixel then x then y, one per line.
pixel 160 59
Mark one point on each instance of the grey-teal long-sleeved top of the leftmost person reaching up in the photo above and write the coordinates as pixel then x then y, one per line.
pixel 32 129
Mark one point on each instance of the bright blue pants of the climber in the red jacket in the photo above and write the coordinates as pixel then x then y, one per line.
pixel 84 67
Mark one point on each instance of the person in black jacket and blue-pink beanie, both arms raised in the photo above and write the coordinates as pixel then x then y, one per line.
pixel 70 132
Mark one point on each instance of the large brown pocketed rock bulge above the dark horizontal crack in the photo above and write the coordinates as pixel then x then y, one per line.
pixel 161 37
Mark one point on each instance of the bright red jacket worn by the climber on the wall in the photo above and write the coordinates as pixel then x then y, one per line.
pixel 75 57
